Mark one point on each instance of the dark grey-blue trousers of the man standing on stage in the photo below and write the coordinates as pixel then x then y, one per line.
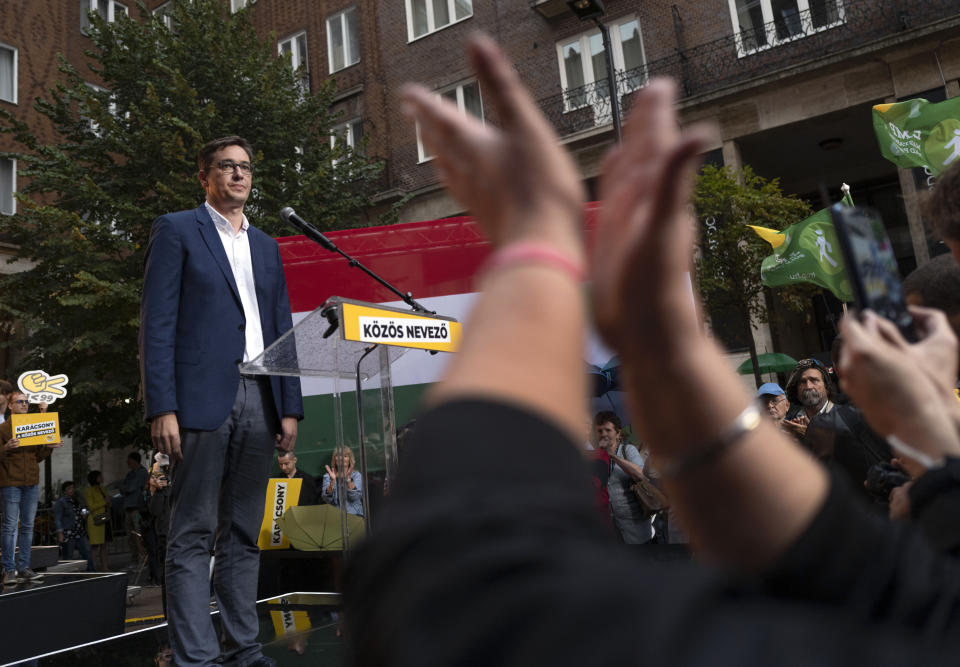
pixel 216 502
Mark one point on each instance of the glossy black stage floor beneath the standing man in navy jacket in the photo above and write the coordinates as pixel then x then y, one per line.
pixel 295 629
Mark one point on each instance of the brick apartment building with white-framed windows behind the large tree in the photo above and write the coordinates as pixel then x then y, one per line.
pixel 788 83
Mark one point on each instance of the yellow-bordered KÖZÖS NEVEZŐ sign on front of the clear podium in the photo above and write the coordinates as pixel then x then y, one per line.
pixel 403 329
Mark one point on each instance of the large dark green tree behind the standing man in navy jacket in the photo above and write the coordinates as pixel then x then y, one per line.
pixel 125 154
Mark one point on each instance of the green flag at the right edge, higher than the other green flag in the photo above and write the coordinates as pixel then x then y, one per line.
pixel 917 133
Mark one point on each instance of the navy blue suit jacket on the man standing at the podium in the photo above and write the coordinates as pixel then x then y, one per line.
pixel 192 322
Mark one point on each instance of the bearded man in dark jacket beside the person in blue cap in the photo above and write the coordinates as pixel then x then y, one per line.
pixel 836 433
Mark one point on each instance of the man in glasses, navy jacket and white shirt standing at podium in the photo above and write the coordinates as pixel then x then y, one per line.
pixel 214 295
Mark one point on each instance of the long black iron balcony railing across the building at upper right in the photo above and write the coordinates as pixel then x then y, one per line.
pixel 739 58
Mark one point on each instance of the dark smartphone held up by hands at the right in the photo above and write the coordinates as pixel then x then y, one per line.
pixel 871 265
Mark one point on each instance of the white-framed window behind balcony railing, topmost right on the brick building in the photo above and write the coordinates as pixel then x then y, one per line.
pixel 760 24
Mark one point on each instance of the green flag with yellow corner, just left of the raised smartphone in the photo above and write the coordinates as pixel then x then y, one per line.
pixel 807 252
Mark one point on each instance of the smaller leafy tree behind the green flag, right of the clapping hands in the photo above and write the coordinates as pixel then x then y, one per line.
pixel 728 264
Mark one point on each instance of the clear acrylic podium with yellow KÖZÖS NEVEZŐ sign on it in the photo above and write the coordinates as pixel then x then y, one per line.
pixel 352 345
